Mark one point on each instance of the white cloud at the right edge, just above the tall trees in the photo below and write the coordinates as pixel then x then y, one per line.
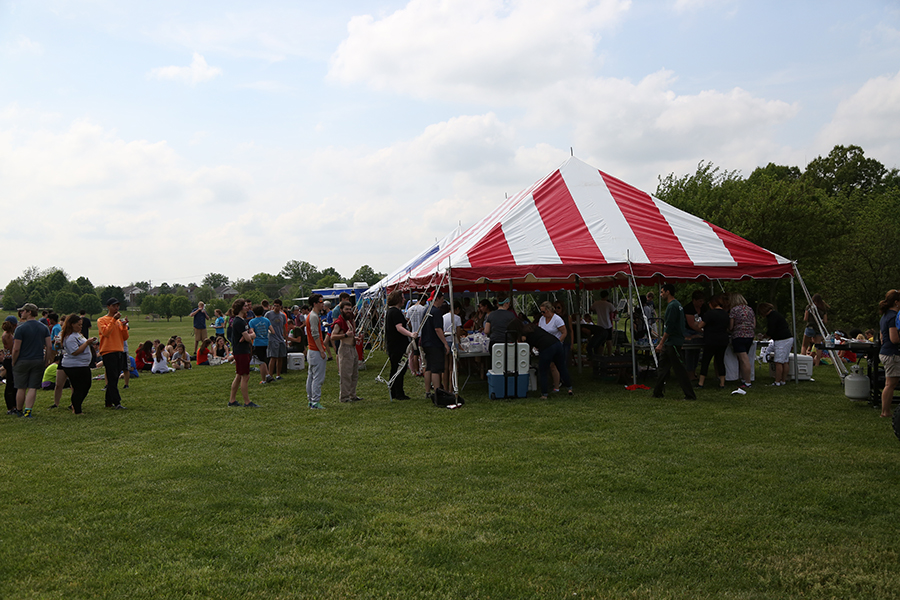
pixel 869 118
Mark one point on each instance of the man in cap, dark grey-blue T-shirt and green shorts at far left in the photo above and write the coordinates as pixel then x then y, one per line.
pixel 32 353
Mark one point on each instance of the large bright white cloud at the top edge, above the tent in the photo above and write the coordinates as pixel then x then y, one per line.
pixel 474 50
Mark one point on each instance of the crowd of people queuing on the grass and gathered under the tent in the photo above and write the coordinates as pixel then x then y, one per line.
pixel 59 353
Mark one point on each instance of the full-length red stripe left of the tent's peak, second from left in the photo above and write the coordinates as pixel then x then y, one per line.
pixel 565 225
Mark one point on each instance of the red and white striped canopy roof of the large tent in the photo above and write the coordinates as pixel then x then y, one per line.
pixel 579 226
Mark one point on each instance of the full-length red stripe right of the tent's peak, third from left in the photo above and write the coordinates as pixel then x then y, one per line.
pixel 654 233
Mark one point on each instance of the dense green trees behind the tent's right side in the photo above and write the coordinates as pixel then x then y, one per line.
pixel 839 219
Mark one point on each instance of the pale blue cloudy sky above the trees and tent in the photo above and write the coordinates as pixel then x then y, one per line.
pixel 161 141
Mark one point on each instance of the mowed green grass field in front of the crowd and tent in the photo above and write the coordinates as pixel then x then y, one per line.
pixel 781 493
